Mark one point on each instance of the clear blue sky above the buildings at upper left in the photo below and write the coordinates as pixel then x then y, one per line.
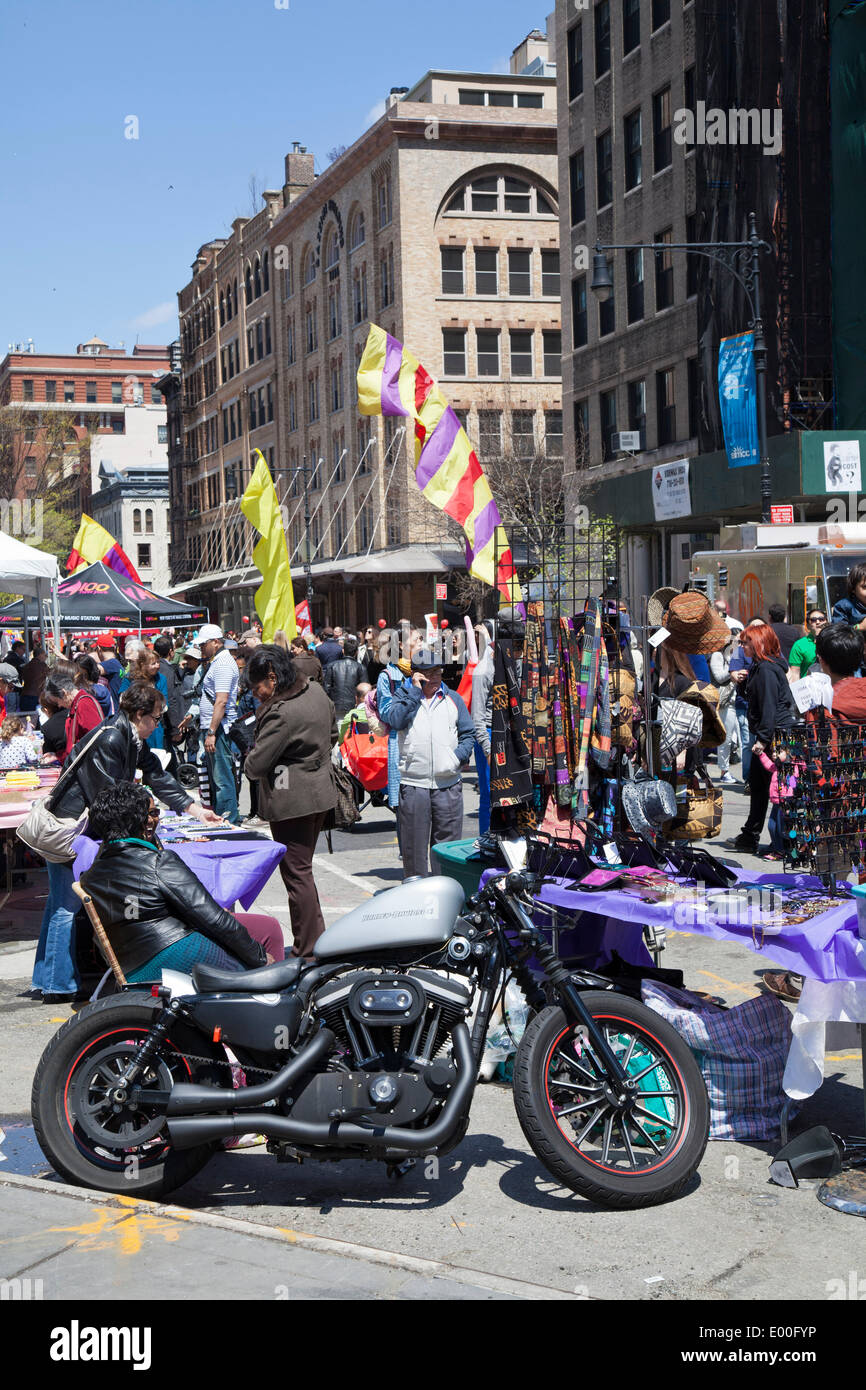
pixel 99 231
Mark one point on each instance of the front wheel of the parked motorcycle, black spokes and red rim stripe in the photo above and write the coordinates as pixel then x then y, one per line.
pixel 623 1149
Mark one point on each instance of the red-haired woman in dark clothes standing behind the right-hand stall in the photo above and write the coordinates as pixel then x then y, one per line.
pixel 771 707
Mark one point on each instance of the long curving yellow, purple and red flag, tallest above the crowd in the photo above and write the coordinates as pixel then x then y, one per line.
pixel 394 383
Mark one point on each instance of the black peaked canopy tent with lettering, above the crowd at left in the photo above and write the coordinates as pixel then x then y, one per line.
pixel 97 597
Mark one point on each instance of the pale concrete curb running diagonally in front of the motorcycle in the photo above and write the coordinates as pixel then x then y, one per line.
pixel 323 1245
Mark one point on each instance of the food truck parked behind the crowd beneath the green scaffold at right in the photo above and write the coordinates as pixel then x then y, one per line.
pixel 800 566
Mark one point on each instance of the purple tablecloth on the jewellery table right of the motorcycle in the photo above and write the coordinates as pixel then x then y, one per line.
pixel 825 947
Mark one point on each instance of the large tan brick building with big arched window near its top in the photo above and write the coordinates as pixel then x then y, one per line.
pixel 440 224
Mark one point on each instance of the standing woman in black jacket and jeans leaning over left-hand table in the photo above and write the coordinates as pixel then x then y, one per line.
pixel 115 750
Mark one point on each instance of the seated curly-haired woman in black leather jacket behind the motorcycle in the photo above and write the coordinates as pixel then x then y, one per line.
pixel 156 914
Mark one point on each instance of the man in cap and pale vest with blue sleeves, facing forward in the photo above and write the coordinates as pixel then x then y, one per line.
pixel 436 740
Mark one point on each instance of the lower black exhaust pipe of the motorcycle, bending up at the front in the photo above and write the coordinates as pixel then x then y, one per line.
pixel 208 1129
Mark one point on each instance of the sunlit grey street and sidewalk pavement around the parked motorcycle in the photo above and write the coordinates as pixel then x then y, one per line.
pixel 487 1211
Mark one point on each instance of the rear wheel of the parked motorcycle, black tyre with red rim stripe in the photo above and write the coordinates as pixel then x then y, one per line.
pixel 87 1140
